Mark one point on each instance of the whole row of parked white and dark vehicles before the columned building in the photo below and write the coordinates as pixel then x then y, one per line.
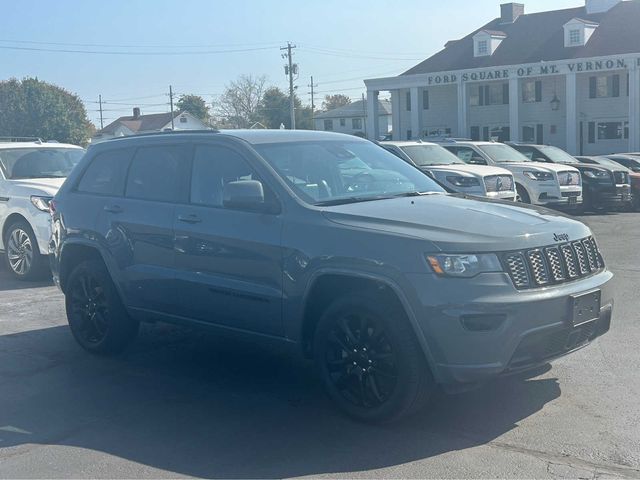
pixel 533 174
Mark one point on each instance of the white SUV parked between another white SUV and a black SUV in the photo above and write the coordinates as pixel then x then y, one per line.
pixel 546 184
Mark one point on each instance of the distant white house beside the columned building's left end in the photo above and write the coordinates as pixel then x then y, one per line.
pixel 351 119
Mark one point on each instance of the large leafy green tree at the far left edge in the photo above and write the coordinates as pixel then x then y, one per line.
pixel 32 108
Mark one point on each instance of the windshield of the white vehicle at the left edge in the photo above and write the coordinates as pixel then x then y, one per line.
pixel 20 163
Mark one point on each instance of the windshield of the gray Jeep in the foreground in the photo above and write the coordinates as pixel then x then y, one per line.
pixel 336 172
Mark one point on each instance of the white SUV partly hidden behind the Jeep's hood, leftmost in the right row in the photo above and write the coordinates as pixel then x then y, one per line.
pixel 449 170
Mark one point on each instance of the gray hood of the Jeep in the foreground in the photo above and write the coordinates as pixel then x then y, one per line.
pixel 457 223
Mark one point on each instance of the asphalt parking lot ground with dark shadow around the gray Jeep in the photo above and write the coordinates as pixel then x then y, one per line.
pixel 181 403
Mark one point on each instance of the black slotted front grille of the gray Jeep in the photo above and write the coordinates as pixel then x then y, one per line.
pixel 539 267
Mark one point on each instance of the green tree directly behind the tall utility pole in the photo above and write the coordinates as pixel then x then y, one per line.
pixel 274 110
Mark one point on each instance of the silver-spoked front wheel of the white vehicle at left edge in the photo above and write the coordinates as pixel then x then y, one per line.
pixel 22 254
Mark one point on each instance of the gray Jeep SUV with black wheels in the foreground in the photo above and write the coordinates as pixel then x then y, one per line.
pixel 328 243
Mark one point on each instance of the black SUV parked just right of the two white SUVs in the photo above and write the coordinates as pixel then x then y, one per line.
pixel 603 187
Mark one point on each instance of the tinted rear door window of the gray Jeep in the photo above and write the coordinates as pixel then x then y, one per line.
pixel 156 173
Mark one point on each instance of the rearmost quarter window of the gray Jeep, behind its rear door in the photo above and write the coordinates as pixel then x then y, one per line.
pixel 106 173
